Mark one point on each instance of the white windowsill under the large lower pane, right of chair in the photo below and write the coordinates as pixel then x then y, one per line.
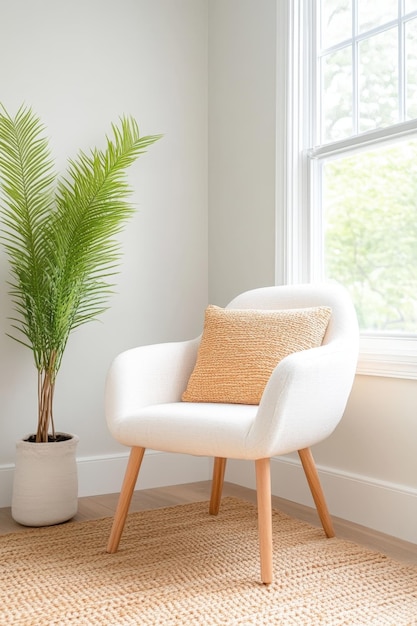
pixel 388 357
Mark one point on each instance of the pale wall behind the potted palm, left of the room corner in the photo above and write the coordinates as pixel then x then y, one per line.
pixel 80 65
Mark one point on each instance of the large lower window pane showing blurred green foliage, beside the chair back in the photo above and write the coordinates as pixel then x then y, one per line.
pixel 370 239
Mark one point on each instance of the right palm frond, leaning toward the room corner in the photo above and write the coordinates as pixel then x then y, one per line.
pixel 92 203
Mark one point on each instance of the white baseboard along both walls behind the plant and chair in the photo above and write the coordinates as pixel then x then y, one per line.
pixel 385 507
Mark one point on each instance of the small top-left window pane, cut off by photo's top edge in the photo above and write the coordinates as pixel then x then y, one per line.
pixel 336 22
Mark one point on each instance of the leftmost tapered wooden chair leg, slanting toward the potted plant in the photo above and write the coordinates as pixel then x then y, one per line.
pixel 129 482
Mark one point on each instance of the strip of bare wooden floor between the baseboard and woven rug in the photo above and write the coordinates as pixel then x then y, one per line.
pixel 104 506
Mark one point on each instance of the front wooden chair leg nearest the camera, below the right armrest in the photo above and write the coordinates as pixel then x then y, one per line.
pixel 263 490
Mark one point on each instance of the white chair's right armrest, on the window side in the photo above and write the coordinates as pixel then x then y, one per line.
pixel 304 399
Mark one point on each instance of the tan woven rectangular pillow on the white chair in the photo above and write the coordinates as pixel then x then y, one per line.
pixel 240 348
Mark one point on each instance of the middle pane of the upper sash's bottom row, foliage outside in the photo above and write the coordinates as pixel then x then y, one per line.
pixel 378 81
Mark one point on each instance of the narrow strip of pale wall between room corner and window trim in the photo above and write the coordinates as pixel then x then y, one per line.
pixel 242 113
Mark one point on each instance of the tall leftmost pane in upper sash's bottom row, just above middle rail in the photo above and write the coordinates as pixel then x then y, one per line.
pixel 336 96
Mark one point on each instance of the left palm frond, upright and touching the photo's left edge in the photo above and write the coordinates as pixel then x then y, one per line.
pixel 26 181
